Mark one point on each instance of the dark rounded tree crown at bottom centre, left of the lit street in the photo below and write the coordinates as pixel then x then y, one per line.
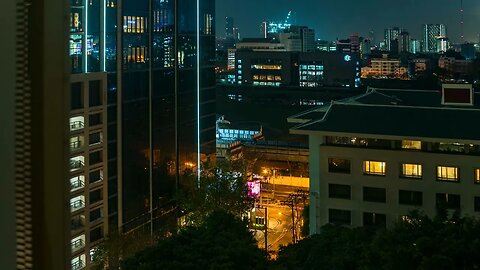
pixel 223 241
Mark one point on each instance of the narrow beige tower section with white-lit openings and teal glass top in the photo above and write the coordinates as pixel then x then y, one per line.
pixel 88 130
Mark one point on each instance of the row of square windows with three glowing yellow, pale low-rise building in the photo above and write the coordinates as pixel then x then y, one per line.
pixel 407 170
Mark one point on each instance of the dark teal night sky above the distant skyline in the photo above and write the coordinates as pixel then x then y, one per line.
pixel 340 18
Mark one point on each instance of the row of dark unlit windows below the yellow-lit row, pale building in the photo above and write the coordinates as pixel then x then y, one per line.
pixel 405 197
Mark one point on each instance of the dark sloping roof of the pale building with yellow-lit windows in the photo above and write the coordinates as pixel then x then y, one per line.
pixel 405 113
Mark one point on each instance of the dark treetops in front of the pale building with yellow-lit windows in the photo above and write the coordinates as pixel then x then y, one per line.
pixel 419 243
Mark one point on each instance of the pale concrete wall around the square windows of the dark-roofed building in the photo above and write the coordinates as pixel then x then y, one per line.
pixel 429 185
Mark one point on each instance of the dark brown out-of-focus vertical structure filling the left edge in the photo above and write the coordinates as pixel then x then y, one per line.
pixel 34 186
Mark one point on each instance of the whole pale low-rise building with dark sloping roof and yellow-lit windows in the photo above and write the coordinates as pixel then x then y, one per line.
pixel 375 174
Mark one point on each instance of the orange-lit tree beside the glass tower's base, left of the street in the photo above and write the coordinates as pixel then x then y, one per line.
pixel 222 188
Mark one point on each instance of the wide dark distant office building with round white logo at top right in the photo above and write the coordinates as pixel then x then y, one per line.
pixel 297 69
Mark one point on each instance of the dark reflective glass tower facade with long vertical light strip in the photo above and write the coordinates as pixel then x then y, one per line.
pixel 165 93
